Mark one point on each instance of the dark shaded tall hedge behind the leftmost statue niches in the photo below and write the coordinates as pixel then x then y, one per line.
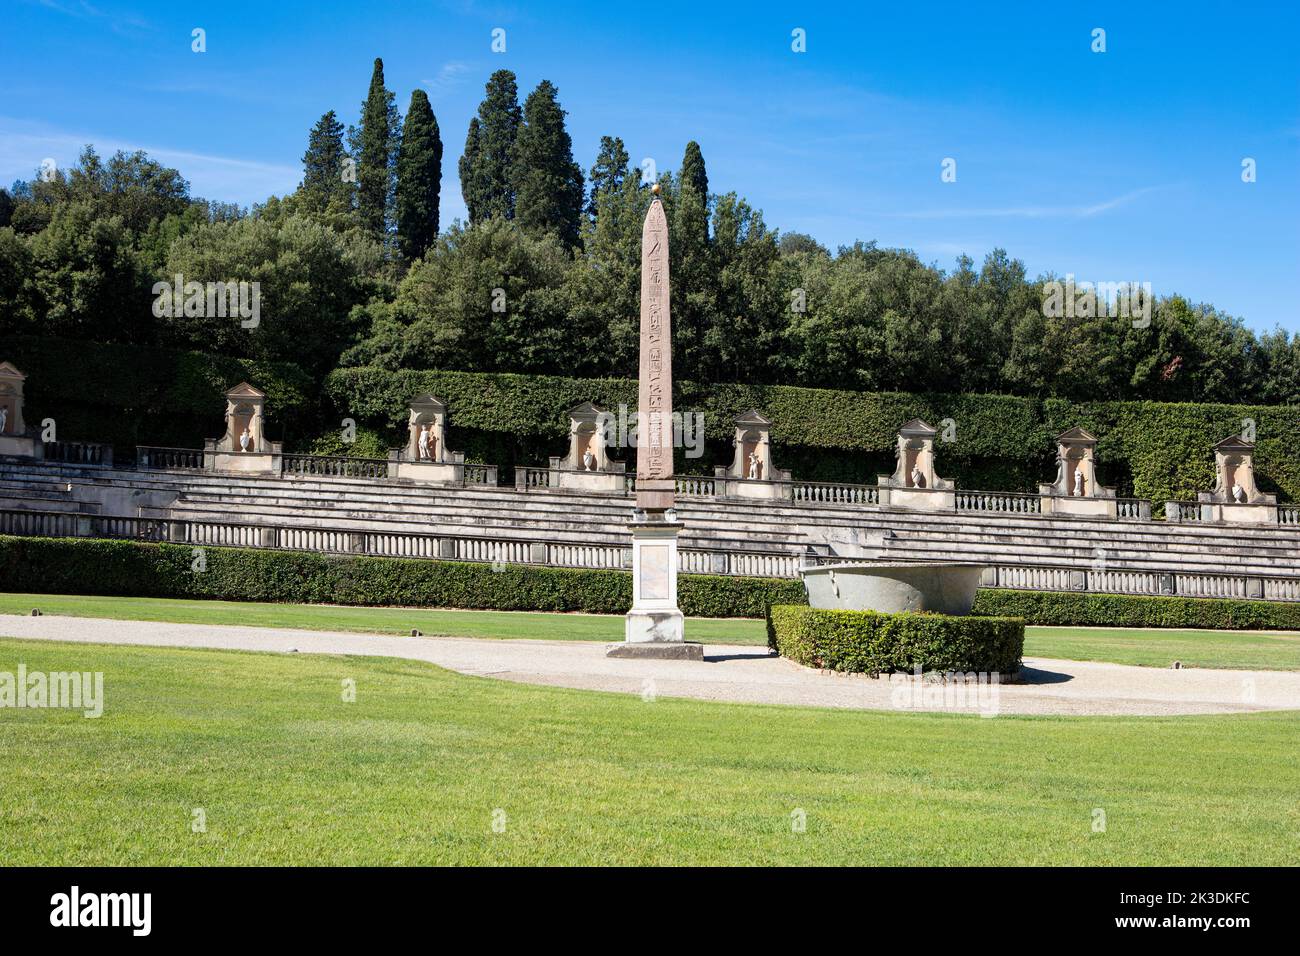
pixel 132 396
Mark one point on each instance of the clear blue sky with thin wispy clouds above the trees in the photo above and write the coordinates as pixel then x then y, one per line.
pixel 1124 166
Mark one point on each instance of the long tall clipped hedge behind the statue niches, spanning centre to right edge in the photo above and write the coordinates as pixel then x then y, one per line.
pixel 1151 449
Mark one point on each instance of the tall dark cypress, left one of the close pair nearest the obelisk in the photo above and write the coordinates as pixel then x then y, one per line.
pixel 487 178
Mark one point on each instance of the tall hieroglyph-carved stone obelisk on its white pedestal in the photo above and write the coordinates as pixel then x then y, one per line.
pixel 655 625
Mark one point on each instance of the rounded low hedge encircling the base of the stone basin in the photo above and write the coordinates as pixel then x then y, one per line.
pixel 873 643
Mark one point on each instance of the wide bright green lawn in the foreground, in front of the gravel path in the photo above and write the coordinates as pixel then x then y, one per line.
pixel 415 769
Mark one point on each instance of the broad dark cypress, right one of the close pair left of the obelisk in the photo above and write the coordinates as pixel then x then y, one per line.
pixel 548 180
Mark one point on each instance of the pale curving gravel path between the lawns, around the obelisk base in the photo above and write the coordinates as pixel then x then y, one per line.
pixel 730 673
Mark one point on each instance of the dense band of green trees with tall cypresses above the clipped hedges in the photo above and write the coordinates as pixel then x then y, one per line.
pixel 545 278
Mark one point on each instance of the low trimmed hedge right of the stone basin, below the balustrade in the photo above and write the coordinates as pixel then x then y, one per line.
pixel 1134 611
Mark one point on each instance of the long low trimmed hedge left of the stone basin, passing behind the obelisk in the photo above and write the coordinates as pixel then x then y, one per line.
pixel 85 566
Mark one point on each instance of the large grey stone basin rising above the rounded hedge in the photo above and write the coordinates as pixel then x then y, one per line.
pixel 894 587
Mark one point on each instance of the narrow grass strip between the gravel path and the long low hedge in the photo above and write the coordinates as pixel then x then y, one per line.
pixel 1151 647
